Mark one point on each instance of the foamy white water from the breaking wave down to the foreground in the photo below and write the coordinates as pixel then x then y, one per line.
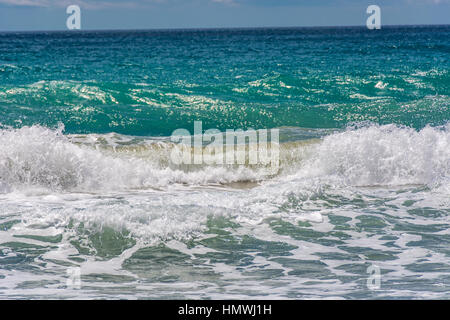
pixel 311 231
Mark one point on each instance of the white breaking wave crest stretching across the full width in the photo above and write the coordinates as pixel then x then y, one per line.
pixel 373 155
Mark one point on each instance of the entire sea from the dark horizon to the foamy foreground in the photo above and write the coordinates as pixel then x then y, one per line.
pixel 86 180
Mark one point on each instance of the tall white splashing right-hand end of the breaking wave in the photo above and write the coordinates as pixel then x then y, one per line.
pixel 383 155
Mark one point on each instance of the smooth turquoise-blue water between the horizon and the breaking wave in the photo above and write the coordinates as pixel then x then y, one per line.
pixel 151 83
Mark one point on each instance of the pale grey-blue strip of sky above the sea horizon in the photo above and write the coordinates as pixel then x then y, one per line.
pixel 30 15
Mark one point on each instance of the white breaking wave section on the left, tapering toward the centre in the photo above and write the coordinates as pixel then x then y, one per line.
pixel 41 157
